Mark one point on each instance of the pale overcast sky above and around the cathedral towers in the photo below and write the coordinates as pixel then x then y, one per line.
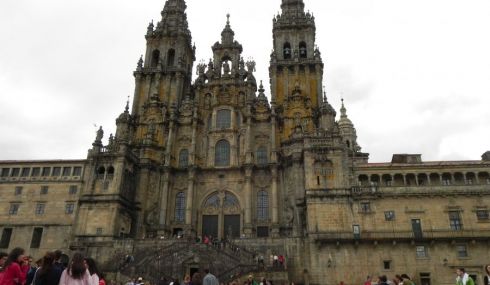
pixel 415 74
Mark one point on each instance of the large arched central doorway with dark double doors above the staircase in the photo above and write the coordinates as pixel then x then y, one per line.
pixel 221 216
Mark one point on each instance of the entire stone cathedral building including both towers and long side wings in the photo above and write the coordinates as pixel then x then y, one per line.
pixel 212 156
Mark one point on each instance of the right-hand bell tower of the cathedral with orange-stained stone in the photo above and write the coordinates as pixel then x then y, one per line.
pixel 296 68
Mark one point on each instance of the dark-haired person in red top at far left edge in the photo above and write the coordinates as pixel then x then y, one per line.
pixel 16 268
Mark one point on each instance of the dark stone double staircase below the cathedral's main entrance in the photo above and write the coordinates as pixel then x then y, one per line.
pixel 172 259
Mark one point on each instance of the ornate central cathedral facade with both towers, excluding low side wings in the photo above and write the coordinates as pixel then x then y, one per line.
pixel 212 155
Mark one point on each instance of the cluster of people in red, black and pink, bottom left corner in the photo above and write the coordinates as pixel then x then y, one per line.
pixel 18 269
